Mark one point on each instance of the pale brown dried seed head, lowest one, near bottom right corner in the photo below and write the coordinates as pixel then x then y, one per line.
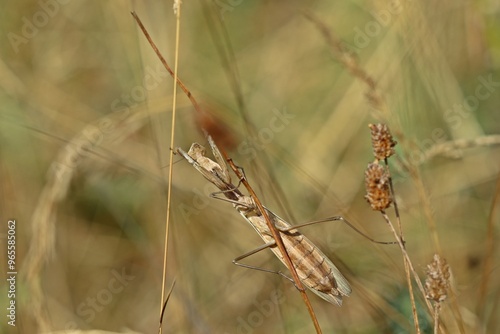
pixel 438 279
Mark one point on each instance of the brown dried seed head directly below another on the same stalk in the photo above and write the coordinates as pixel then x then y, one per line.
pixel 377 187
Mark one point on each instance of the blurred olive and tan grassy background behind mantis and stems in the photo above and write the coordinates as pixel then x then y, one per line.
pixel 65 65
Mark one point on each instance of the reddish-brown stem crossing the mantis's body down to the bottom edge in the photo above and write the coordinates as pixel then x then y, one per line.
pixel 278 240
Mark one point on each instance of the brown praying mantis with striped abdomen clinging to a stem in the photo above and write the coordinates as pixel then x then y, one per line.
pixel 315 270
